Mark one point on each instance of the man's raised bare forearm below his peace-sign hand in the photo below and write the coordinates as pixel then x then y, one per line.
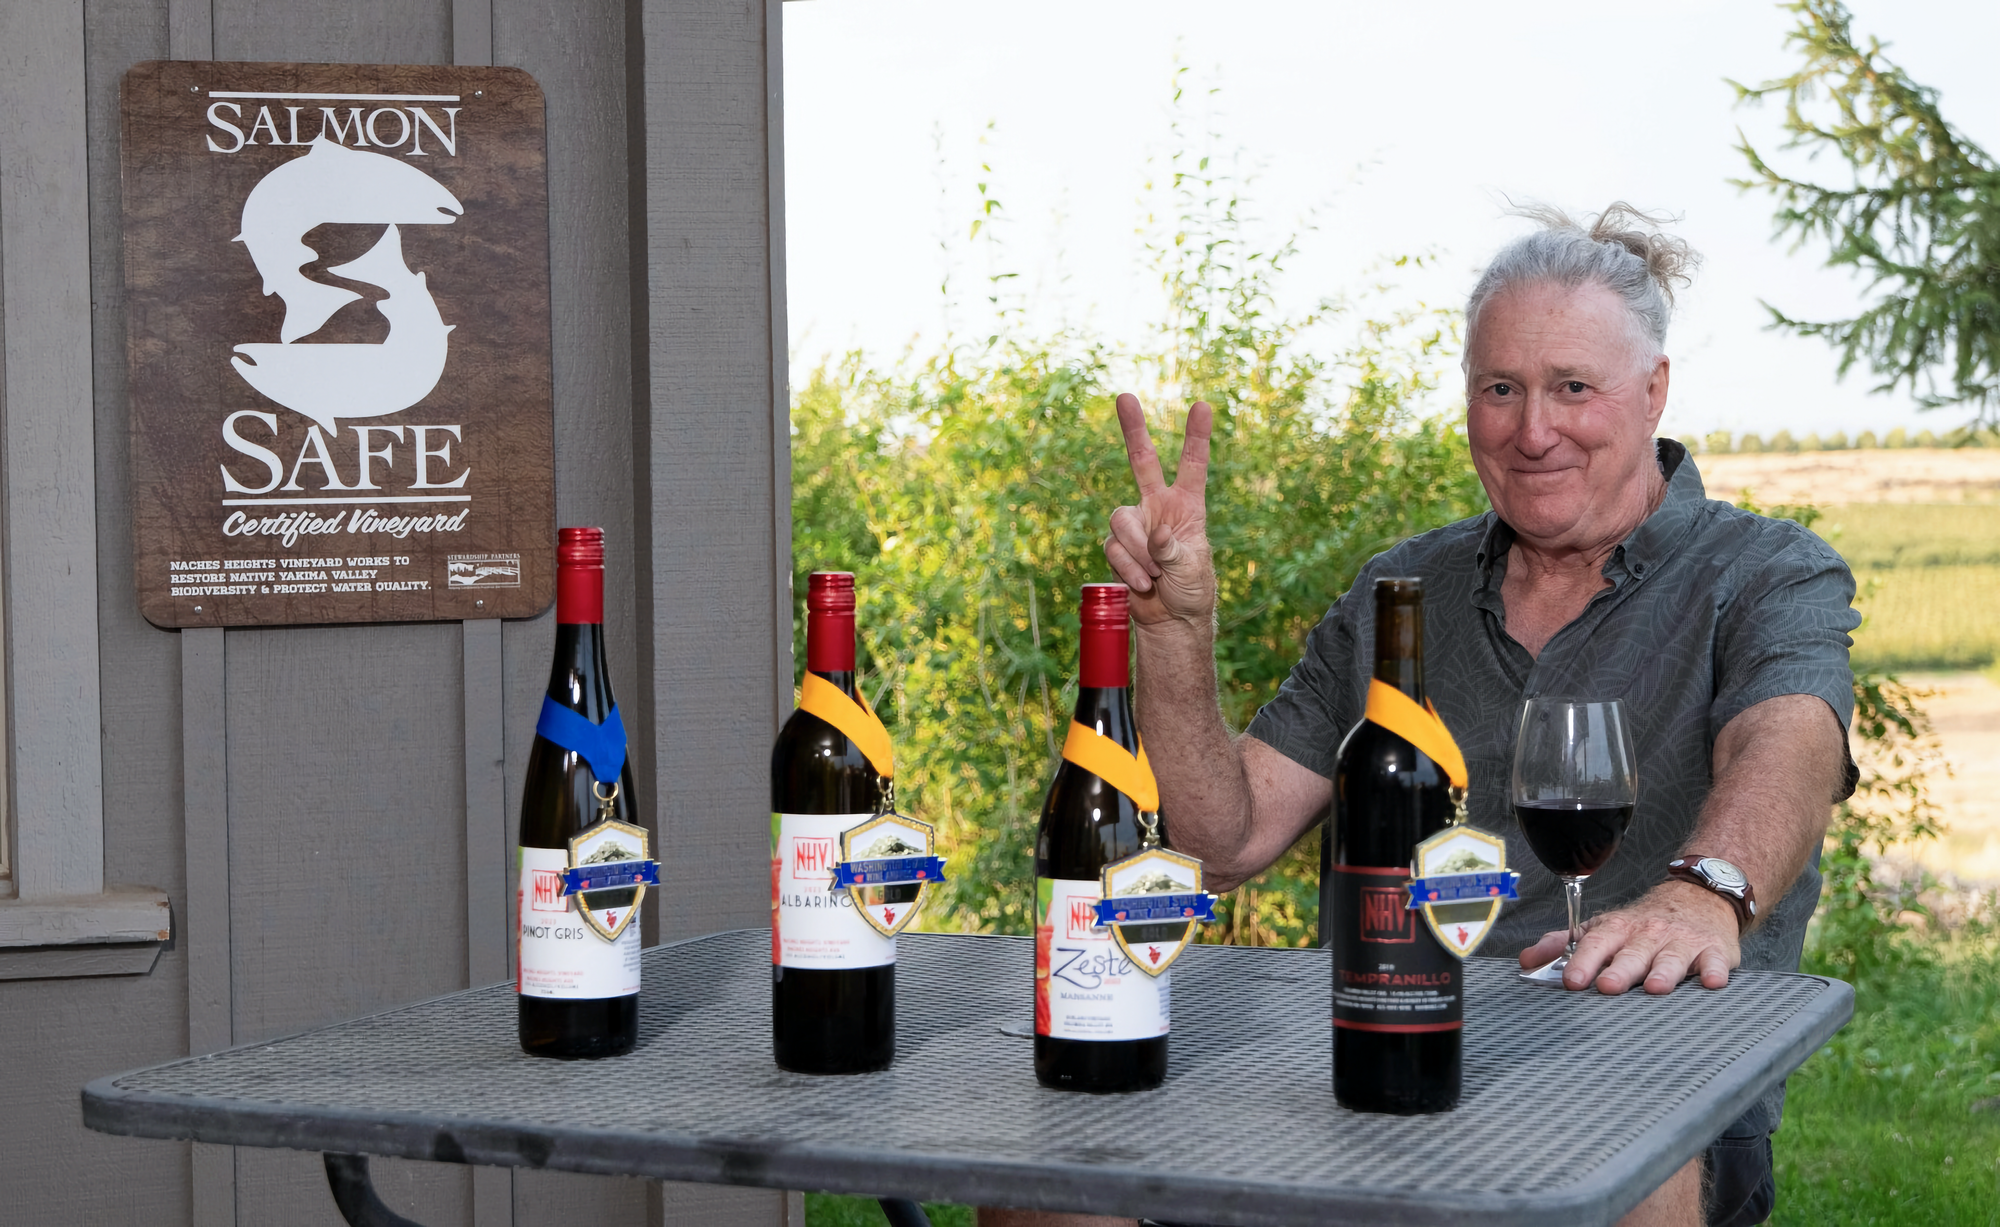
pixel 1203 788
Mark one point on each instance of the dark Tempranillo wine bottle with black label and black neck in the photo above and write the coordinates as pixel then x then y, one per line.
pixel 1399 994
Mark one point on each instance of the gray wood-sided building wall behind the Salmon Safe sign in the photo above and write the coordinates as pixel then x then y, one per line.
pixel 343 800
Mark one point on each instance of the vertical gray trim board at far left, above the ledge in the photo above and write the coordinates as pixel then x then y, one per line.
pixel 53 726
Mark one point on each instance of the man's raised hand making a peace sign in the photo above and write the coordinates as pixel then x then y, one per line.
pixel 1161 547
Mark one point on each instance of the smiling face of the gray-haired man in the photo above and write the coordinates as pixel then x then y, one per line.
pixel 1561 409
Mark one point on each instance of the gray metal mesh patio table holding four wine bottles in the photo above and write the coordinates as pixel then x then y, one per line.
pixel 1575 1104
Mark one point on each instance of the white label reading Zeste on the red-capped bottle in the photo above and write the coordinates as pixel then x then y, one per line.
pixel 1087 988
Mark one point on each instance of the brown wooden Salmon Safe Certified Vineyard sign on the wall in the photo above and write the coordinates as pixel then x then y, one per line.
pixel 339 343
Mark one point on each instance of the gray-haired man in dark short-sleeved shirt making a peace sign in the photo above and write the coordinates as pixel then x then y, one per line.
pixel 1601 573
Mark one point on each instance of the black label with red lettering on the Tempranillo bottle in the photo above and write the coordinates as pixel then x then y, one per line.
pixel 1389 970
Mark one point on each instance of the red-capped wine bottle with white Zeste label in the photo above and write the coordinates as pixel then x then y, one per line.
pixel 1099 1022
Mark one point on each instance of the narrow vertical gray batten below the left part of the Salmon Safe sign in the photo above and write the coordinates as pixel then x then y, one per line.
pixel 205 772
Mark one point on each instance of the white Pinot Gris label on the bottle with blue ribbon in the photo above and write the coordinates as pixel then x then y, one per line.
pixel 561 956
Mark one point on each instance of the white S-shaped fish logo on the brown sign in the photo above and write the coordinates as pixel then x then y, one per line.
pixel 327 383
